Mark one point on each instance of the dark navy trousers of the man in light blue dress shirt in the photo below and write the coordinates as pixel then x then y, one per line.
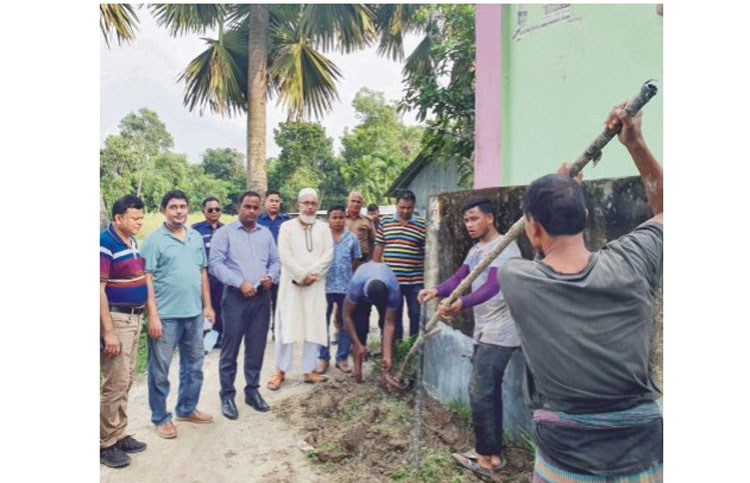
pixel 248 318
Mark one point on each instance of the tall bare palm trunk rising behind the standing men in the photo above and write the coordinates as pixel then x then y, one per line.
pixel 256 108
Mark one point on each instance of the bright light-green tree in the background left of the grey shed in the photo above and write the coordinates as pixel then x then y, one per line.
pixel 378 149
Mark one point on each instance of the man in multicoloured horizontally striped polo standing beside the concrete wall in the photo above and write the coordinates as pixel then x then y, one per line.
pixel 400 244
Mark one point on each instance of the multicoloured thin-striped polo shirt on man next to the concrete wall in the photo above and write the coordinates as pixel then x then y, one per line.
pixel 403 248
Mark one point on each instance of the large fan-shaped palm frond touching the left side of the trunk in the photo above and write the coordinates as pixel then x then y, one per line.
pixel 217 78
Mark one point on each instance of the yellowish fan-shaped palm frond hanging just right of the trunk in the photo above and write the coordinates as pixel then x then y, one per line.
pixel 303 77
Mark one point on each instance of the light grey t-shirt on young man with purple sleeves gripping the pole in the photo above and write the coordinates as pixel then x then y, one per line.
pixel 493 323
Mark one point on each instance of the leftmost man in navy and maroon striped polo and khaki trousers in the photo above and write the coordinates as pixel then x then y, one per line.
pixel 123 295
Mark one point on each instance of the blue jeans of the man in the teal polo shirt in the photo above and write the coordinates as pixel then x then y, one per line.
pixel 186 333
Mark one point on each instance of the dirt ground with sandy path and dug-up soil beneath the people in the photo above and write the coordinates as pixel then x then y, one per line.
pixel 358 432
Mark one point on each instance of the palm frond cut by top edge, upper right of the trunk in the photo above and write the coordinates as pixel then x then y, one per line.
pixel 345 27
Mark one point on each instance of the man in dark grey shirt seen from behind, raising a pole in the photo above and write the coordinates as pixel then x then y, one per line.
pixel 585 322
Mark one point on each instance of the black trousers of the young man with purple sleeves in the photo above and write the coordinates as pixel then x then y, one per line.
pixel 486 396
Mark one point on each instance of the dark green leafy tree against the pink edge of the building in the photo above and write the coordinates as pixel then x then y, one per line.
pixel 439 79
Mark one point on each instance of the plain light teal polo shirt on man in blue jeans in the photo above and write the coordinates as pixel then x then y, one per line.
pixel 176 266
